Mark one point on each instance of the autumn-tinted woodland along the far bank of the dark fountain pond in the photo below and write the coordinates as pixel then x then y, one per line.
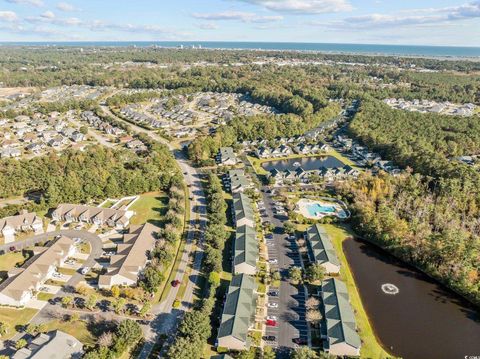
pixel 435 230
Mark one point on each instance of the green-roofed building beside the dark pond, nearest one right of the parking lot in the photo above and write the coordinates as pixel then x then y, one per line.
pixel 339 317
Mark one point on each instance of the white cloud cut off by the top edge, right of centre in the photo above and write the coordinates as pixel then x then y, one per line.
pixel 303 6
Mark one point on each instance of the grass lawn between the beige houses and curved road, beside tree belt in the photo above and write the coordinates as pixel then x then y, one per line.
pixel 150 207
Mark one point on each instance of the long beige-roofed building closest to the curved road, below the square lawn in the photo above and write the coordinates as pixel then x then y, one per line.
pixel 131 257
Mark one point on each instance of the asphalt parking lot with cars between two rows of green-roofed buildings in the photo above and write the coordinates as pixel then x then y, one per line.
pixel 291 323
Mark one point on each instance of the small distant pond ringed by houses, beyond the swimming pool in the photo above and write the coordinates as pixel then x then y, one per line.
pixel 307 163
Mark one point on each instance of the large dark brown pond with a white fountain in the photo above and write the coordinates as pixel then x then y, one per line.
pixel 413 316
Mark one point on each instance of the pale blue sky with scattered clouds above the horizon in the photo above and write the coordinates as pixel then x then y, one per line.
pixel 408 22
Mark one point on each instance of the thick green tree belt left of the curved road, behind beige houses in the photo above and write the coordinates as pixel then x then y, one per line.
pixel 82 177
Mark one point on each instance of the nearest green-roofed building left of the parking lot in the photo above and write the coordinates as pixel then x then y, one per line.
pixel 239 308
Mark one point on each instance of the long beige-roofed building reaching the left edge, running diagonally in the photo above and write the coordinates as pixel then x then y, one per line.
pixel 23 283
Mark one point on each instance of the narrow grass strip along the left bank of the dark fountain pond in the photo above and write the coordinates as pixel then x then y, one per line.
pixel 371 348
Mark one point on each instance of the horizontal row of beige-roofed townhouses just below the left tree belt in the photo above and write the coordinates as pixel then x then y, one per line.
pixel 93 215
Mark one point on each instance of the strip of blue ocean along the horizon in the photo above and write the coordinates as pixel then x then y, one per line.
pixel 401 50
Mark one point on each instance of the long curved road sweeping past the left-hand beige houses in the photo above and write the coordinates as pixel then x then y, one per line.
pixel 166 317
